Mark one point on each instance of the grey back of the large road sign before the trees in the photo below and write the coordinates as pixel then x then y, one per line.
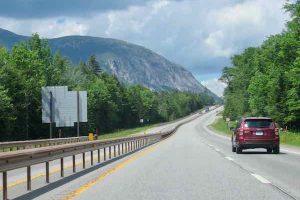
pixel 64 106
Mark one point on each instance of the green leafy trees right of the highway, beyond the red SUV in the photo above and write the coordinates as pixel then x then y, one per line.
pixel 265 81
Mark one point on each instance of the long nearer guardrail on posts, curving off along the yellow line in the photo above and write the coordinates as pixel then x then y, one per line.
pixel 114 147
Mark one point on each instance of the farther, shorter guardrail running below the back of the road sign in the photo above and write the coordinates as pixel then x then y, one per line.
pixel 30 144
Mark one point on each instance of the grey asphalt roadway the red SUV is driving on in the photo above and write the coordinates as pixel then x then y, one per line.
pixel 194 163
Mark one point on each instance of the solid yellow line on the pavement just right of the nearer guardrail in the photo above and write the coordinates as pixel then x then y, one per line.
pixel 105 174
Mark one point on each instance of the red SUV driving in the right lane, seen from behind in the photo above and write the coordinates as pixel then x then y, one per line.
pixel 256 132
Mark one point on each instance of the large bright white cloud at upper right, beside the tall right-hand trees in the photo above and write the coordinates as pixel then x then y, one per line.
pixel 248 23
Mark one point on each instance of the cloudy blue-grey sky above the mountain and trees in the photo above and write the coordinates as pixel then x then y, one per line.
pixel 200 35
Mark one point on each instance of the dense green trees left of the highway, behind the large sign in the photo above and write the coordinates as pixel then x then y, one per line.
pixel 111 105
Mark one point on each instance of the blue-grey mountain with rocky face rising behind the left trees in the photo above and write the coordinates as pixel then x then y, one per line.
pixel 132 64
